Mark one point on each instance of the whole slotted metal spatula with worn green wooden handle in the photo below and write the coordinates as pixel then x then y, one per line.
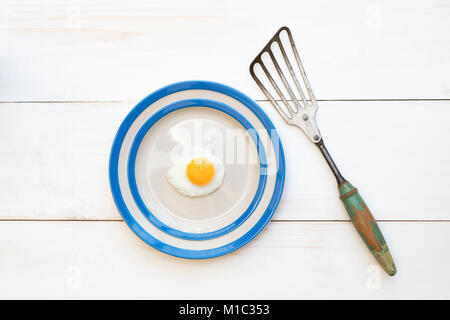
pixel 301 112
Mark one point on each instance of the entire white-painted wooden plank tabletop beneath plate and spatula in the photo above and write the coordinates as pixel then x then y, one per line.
pixel 71 70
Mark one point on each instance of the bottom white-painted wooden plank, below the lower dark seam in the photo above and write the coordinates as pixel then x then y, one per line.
pixel 289 260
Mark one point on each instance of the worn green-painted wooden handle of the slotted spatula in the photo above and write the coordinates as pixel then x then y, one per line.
pixel 367 226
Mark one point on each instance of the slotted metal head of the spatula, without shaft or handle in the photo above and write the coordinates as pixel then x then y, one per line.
pixel 296 109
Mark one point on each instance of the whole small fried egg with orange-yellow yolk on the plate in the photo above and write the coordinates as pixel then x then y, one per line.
pixel 197 175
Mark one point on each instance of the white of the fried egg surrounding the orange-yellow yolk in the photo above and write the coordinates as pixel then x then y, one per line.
pixel 177 176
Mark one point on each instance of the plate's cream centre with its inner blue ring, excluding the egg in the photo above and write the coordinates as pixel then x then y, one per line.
pixel 206 217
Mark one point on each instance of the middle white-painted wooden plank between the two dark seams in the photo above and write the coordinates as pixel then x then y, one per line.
pixel 54 160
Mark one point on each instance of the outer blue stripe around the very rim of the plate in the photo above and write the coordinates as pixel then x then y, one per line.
pixel 114 178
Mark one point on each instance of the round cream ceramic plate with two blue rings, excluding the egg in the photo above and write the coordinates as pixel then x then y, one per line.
pixel 207 116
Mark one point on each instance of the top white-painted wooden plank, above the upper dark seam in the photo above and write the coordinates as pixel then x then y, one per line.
pixel 116 50
